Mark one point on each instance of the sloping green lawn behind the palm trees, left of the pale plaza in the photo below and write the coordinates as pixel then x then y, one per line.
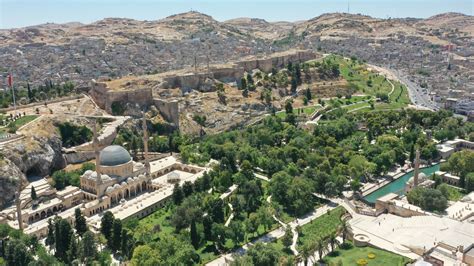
pixel 320 227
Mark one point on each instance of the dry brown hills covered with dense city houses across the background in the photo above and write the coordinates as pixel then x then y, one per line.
pixel 117 47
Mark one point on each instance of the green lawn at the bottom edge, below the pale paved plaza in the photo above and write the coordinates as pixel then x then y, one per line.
pixel 351 255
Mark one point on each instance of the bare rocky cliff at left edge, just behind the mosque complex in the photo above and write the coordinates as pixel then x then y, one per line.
pixel 37 154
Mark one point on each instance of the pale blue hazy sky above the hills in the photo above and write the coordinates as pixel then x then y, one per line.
pixel 20 13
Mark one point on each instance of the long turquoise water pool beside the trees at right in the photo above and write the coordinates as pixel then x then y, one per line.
pixel 398 186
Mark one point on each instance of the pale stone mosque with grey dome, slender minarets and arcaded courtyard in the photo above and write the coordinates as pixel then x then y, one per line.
pixel 118 184
